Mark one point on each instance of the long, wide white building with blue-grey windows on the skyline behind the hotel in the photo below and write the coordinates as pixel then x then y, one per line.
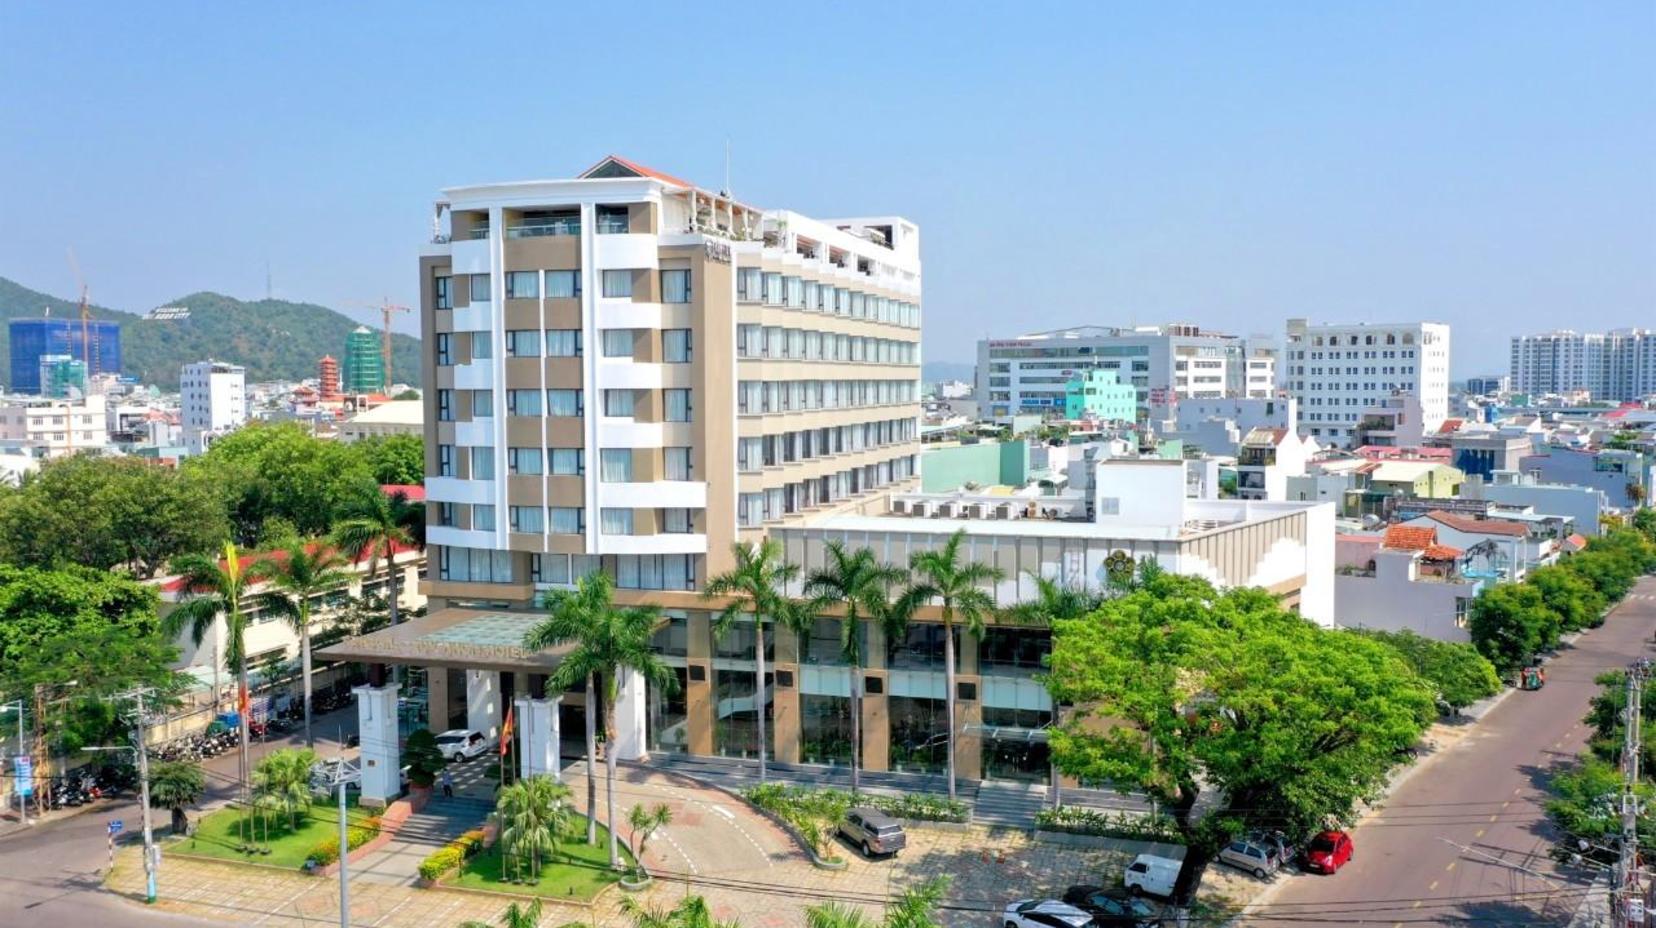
pixel 1163 364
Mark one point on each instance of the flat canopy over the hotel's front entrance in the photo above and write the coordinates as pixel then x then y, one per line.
pixel 455 637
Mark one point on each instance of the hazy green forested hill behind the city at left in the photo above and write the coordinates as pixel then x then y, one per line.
pixel 274 339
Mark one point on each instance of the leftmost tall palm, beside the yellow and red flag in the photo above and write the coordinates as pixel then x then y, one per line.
pixel 216 589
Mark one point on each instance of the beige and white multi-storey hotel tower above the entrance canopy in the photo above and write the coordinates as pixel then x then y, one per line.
pixel 630 374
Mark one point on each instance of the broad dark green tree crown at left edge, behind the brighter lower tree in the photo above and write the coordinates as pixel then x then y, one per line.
pixel 108 513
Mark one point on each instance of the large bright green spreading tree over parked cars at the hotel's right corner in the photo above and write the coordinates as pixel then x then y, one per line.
pixel 1178 689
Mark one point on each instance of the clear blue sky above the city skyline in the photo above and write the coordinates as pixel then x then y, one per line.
pixel 1231 165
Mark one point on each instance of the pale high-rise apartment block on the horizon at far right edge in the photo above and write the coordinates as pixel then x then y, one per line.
pixel 1615 367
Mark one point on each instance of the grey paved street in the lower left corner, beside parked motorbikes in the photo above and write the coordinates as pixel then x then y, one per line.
pixel 51 874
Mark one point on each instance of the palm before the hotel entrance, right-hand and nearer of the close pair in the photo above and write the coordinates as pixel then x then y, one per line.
pixel 609 642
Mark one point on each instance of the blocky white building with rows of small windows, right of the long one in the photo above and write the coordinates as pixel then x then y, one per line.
pixel 1337 372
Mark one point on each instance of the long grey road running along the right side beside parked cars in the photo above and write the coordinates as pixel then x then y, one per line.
pixel 1465 839
